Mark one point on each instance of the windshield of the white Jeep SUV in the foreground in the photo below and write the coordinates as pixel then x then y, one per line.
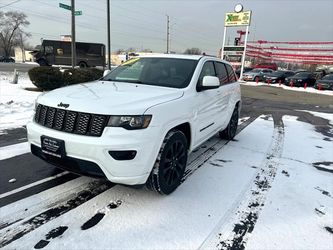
pixel 164 72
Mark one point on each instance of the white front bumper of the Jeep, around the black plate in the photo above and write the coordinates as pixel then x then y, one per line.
pixel 93 152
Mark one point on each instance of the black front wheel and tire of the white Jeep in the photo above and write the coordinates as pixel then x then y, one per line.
pixel 170 164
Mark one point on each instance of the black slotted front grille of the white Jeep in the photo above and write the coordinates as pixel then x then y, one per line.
pixel 70 121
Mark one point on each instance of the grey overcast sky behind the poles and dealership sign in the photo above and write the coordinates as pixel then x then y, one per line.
pixel 141 24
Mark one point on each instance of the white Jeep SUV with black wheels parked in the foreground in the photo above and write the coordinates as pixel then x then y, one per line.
pixel 138 123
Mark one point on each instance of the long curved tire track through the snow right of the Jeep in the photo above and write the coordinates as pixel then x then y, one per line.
pixel 248 211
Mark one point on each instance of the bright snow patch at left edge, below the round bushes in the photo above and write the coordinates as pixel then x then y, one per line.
pixel 16 103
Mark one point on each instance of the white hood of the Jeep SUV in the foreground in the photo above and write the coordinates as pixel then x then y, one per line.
pixel 112 98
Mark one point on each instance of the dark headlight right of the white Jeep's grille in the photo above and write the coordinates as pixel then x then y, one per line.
pixel 130 122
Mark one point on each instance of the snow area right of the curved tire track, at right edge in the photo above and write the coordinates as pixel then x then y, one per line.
pixel 299 210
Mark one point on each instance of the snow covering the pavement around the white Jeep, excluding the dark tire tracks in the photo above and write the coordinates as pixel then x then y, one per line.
pixel 296 211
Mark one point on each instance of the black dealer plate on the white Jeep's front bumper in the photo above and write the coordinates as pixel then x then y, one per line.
pixel 53 146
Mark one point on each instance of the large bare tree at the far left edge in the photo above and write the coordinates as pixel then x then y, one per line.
pixel 11 30
